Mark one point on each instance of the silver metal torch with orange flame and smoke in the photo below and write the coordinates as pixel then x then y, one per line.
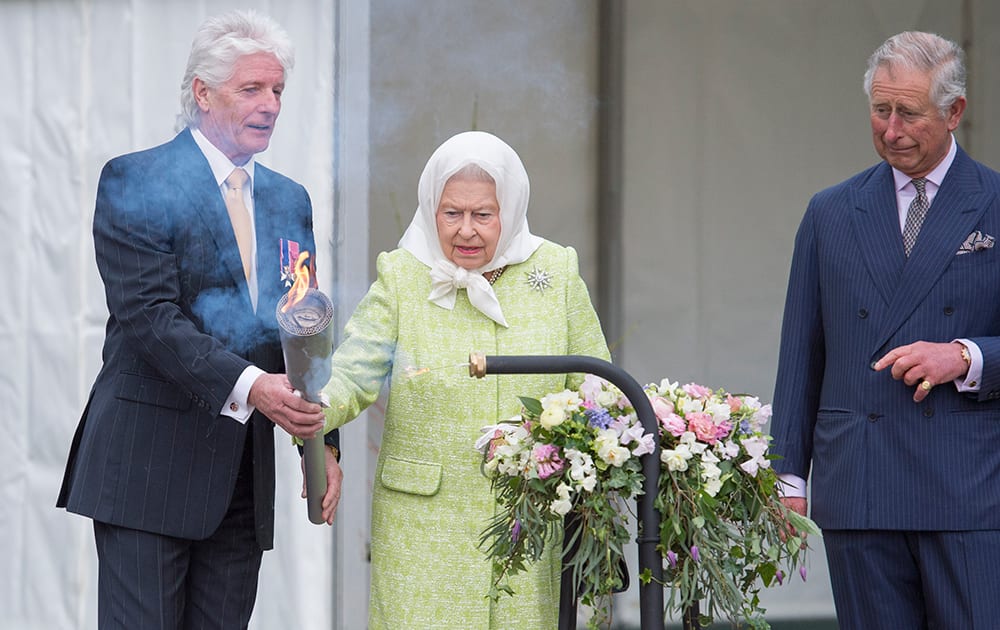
pixel 304 318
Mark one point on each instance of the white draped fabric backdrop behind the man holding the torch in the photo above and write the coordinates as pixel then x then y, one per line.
pixel 88 80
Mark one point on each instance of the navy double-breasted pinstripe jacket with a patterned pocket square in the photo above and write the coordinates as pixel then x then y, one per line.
pixel 879 460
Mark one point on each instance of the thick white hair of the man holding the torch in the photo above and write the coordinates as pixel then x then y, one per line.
pixel 219 43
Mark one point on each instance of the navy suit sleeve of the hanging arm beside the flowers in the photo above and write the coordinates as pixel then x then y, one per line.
pixel 801 357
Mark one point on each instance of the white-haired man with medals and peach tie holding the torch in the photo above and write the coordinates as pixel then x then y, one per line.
pixel 173 458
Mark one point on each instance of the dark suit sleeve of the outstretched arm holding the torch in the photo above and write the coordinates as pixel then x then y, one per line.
pixel 134 245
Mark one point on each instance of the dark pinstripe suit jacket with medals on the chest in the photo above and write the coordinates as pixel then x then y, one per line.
pixel 151 451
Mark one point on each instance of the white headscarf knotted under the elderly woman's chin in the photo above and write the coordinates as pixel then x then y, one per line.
pixel 516 242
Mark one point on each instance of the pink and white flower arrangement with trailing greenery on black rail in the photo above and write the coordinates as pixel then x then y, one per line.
pixel 724 534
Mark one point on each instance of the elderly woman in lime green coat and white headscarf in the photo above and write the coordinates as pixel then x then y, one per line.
pixel 468 276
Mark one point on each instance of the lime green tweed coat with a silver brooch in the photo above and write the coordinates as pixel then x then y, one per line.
pixel 431 501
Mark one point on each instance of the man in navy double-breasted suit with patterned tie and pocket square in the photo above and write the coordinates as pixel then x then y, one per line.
pixel 888 382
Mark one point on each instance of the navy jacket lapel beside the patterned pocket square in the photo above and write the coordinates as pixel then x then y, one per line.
pixel 956 210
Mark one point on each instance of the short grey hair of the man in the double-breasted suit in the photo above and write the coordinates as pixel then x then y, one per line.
pixel 943 59
